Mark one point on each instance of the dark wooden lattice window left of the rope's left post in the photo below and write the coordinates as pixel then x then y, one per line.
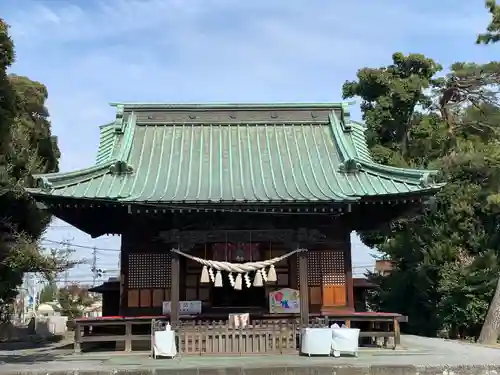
pixel 149 270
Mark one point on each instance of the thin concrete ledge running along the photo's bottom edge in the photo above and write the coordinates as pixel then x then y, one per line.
pixel 281 370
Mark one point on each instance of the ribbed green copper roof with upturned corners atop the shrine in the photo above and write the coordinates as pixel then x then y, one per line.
pixel 238 152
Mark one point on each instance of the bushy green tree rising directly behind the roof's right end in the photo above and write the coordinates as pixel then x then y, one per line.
pixel 390 96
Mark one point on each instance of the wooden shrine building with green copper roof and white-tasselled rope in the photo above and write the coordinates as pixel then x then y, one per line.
pixel 223 204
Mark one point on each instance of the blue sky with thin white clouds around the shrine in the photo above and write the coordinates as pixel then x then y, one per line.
pixel 91 52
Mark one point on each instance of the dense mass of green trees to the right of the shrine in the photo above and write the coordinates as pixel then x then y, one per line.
pixel 446 258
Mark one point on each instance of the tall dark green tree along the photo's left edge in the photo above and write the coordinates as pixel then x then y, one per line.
pixel 26 147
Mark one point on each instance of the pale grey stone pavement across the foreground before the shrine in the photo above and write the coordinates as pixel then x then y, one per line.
pixel 419 355
